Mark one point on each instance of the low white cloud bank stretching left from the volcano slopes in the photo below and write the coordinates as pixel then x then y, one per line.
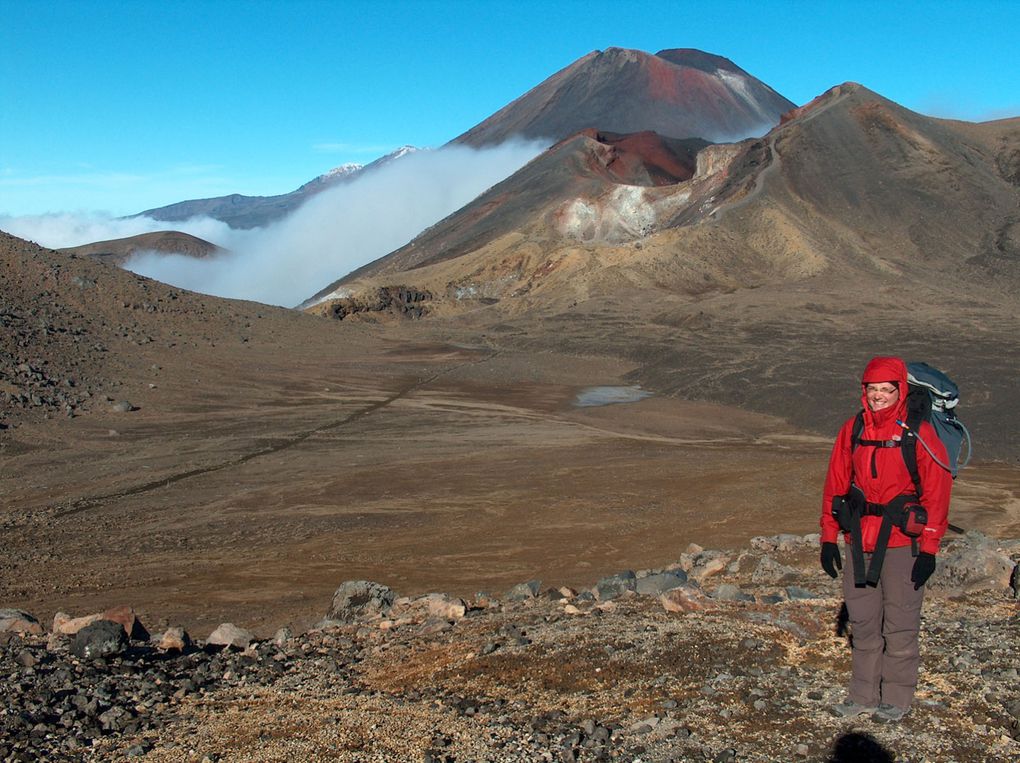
pixel 330 236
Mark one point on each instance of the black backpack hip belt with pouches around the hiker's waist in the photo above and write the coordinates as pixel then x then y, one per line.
pixel 904 513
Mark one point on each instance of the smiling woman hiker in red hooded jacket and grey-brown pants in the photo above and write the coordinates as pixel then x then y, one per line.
pixel 872 496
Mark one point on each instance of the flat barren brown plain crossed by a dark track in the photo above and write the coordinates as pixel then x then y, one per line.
pixel 248 485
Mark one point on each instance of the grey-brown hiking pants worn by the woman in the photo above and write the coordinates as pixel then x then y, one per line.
pixel 885 623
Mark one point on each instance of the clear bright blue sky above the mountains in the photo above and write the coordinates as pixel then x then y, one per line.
pixel 122 107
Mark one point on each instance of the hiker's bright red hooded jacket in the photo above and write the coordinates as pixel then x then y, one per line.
pixel 847 466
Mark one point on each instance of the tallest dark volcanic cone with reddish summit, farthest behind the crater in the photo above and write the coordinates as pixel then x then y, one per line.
pixel 681 93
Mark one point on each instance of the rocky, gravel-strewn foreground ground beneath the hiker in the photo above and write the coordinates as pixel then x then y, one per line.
pixel 726 656
